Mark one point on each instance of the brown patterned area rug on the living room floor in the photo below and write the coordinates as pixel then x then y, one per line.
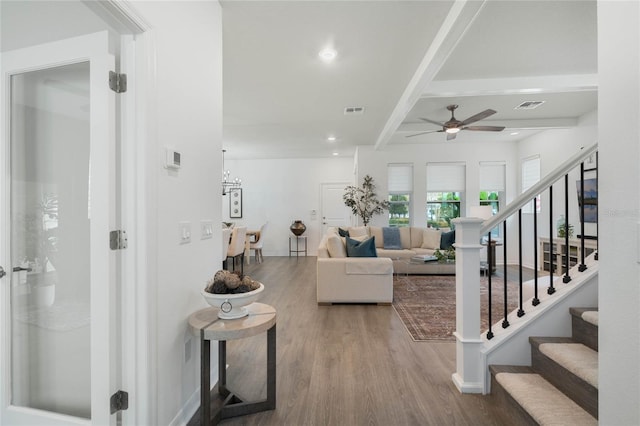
pixel 426 304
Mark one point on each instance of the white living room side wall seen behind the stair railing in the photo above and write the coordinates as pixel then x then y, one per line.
pixel 554 147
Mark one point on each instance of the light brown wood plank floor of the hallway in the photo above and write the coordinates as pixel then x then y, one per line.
pixel 346 364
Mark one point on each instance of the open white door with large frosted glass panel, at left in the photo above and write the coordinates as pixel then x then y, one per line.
pixel 57 208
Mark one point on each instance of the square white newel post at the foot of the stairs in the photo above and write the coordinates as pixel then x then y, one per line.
pixel 469 375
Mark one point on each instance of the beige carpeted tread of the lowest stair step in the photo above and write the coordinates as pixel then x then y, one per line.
pixel 541 400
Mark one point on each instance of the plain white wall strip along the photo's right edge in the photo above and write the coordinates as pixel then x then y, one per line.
pixel 619 198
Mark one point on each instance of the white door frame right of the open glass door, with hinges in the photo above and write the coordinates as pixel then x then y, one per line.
pixel 138 156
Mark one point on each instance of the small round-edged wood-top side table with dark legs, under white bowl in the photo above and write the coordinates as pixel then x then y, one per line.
pixel 206 324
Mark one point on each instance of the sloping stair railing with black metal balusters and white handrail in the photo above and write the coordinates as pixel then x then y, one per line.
pixel 565 256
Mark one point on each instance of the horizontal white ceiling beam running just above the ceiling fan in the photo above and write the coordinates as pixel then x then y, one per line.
pixel 514 85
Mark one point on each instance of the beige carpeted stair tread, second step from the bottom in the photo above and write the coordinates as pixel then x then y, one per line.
pixel 574 357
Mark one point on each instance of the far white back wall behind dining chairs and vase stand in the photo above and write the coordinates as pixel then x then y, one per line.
pixel 281 191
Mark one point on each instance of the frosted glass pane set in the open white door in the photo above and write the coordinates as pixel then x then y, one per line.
pixel 50 293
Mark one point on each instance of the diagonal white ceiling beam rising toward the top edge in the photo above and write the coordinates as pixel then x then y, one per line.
pixel 458 20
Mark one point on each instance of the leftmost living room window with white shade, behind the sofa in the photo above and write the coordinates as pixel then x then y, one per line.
pixel 400 183
